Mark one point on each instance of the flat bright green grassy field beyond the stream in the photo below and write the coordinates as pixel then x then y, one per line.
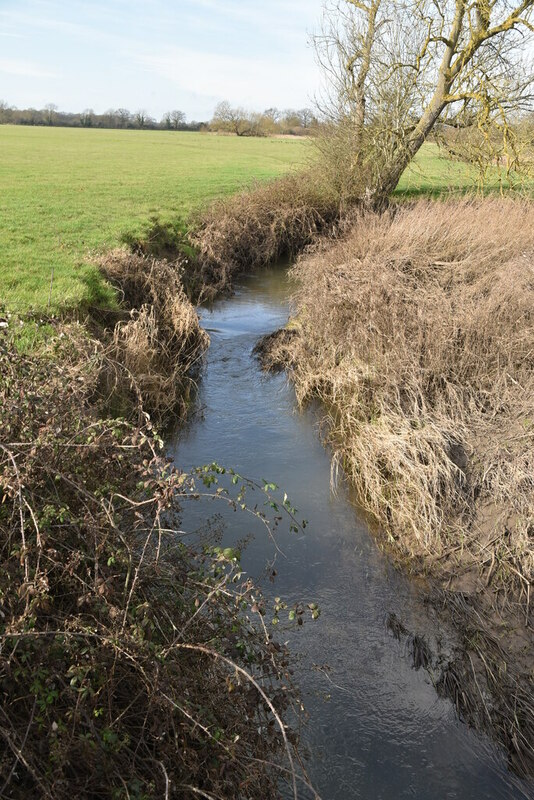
pixel 65 192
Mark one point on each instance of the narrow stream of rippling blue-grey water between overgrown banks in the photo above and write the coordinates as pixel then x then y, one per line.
pixel 377 728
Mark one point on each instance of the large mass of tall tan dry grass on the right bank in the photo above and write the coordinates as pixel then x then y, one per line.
pixel 417 332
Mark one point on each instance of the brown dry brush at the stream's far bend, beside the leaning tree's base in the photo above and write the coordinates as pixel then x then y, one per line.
pixel 259 226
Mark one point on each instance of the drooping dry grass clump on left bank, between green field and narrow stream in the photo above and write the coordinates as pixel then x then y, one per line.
pixel 162 343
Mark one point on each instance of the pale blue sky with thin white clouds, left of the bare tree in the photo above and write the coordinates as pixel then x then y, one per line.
pixel 158 55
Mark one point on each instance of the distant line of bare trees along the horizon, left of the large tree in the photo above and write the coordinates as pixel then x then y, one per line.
pixel 226 119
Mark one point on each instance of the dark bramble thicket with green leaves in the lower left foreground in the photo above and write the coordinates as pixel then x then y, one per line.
pixel 130 665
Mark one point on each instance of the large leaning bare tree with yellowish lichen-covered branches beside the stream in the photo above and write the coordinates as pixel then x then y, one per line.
pixel 396 67
